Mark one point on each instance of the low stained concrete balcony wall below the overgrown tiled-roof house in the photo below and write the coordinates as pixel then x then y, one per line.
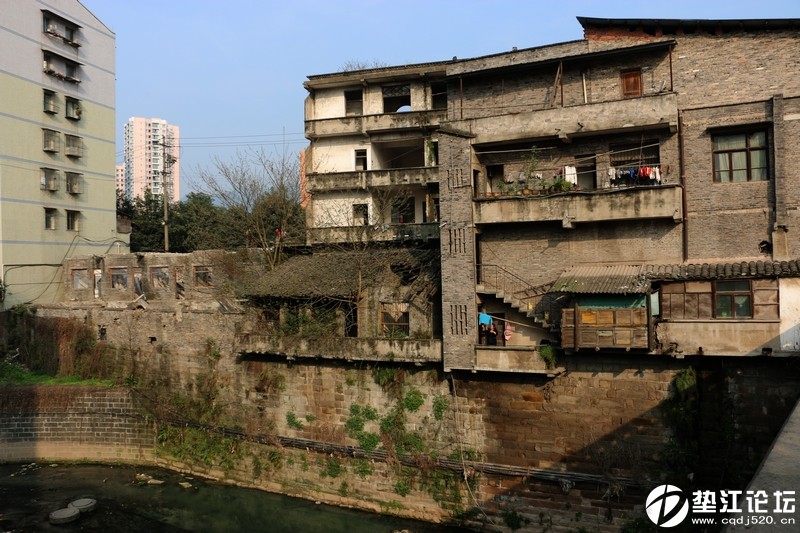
pixel 344 348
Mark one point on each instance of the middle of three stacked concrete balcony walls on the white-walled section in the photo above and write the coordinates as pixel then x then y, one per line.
pixel 340 181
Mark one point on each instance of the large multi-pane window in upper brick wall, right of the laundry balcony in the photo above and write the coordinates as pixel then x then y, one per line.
pixel 740 157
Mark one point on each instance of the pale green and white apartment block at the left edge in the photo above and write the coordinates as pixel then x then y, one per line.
pixel 57 146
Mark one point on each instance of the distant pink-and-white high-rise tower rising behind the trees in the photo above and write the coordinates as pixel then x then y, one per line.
pixel 152 148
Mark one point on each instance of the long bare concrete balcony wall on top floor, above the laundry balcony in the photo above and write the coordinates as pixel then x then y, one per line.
pixel 632 114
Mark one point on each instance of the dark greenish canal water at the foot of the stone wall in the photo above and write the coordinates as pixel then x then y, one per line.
pixel 127 502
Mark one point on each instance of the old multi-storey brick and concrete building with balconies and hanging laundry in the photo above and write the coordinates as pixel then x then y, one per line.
pixel 633 190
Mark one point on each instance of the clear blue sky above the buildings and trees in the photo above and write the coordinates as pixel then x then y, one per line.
pixel 230 73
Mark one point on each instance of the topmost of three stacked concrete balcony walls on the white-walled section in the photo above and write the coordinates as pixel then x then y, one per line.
pixel 365 124
